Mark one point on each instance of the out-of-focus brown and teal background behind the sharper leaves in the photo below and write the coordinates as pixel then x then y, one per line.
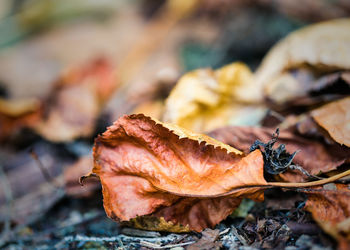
pixel 69 68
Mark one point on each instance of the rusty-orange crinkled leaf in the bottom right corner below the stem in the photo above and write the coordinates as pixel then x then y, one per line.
pixel 331 210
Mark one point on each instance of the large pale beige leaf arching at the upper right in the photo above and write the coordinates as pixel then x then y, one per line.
pixel 324 46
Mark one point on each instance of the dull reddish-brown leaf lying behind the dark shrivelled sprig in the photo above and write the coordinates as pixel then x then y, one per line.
pixel 314 156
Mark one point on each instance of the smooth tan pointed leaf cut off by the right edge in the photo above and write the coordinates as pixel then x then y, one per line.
pixel 335 118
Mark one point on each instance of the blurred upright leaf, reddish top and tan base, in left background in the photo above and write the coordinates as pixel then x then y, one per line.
pixel 75 103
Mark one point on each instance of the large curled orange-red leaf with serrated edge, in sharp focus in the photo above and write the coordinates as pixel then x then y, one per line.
pixel 147 167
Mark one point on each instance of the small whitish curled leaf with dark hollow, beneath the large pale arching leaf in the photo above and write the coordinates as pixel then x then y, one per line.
pixel 303 87
